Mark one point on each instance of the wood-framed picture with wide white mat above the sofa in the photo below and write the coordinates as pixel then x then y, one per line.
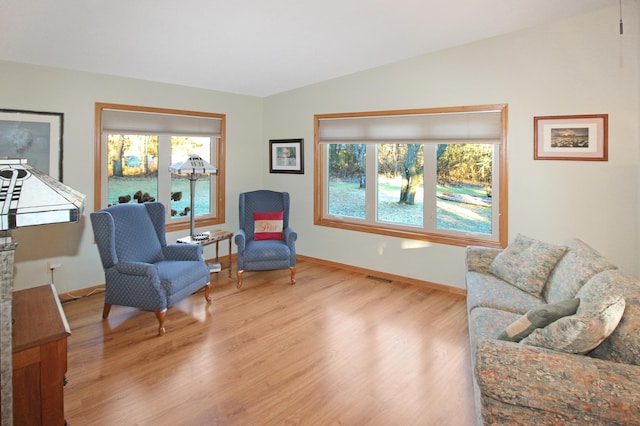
pixel 571 137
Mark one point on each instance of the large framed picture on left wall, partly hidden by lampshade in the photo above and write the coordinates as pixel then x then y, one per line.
pixel 36 136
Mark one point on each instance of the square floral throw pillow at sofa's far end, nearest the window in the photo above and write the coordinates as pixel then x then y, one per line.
pixel 527 263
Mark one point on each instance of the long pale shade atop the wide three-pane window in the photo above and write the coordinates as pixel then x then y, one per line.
pixel 448 128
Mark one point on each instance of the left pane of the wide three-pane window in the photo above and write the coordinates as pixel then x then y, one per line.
pixel 347 181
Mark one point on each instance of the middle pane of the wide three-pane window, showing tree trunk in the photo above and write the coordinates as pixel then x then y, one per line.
pixel 400 184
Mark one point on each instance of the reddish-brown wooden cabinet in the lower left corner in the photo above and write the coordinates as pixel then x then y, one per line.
pixel 40 332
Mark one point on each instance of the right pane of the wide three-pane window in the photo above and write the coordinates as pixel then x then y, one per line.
pixel 463 199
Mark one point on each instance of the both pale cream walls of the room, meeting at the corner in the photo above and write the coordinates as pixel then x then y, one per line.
pixel 576 66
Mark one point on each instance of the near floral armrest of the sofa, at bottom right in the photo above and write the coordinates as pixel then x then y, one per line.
pixel 556 382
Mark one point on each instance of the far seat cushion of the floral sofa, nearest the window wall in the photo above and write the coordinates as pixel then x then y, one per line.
pixel 489 291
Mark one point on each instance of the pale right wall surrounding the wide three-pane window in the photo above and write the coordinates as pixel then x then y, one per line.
pixel 576 66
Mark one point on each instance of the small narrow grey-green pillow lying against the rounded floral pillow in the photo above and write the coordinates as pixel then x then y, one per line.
pixel 538 317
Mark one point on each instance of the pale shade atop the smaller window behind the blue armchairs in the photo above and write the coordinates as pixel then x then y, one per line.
pixel 135 122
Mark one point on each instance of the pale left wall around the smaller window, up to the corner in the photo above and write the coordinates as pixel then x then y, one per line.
pixel 75 94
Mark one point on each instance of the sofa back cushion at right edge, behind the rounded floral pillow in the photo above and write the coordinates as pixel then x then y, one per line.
pixel 624 343
